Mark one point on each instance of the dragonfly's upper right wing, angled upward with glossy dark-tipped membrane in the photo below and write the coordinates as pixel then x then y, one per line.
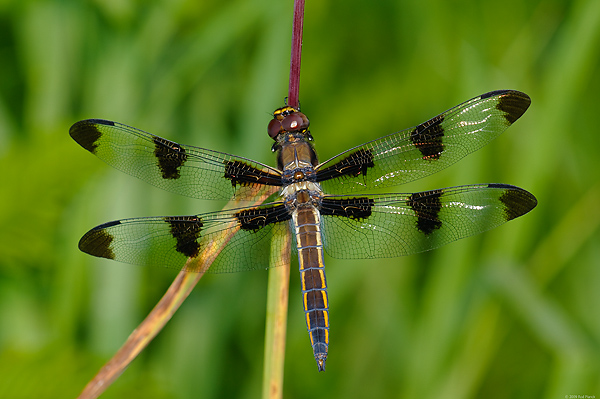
pixel 420 151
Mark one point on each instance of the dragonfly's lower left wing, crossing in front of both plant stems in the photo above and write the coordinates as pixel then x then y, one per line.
pixel 245 233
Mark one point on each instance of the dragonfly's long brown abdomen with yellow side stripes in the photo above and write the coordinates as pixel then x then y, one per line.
pixel 306 221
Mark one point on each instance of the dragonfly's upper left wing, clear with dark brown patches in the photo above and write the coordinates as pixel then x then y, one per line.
pixel 186 170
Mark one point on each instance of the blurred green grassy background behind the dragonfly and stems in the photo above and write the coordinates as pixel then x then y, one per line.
pixel 514 312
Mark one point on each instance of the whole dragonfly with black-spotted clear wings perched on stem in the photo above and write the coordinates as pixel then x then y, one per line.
pixel 319 205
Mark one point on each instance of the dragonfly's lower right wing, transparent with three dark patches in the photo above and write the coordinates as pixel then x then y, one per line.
pixel 383 226
